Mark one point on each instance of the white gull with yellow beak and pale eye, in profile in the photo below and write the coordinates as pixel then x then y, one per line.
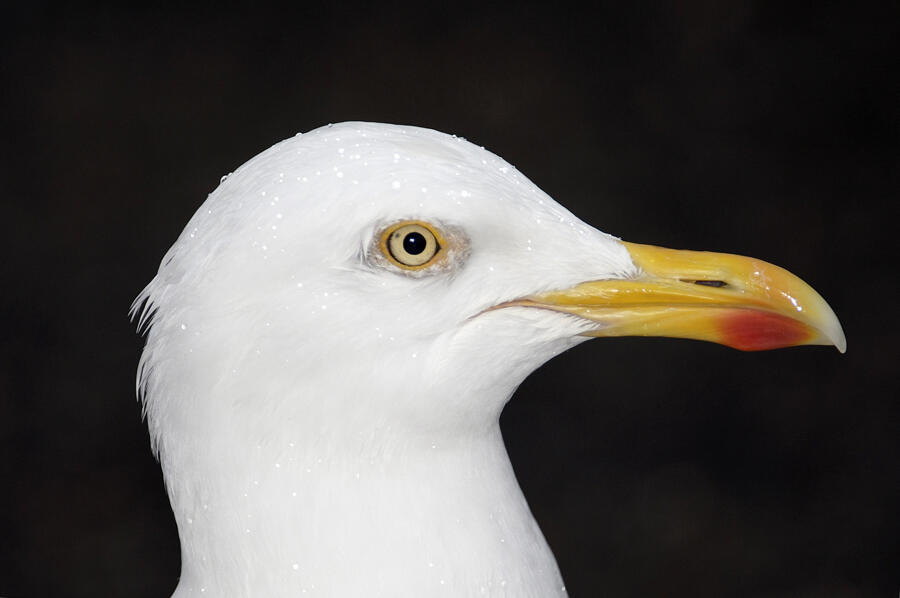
pixel 331 340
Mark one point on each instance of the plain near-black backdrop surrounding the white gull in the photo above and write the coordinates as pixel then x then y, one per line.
pixel 656 467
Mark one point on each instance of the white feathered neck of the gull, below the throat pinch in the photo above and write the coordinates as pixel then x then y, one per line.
pixel 414 521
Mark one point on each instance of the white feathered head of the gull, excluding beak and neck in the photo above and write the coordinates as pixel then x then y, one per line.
pixel 299 285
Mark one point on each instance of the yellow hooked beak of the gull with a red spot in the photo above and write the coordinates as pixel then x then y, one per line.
pixel 733 300
